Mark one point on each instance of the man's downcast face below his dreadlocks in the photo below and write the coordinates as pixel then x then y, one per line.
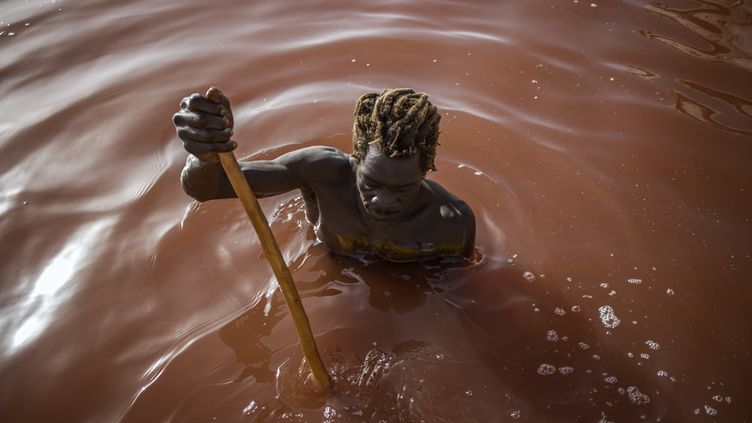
pixel 387 185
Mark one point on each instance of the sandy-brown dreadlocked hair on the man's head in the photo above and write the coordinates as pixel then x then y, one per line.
pixel 400 121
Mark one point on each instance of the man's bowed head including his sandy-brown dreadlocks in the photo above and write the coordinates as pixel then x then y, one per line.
pixel 395 135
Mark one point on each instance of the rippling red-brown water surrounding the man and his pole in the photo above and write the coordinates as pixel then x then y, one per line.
pixel 605 147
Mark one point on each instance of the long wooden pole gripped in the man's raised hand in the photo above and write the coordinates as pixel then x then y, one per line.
pixel 274 256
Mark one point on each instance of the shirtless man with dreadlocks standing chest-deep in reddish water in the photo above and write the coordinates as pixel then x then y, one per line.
pixel 374 201
